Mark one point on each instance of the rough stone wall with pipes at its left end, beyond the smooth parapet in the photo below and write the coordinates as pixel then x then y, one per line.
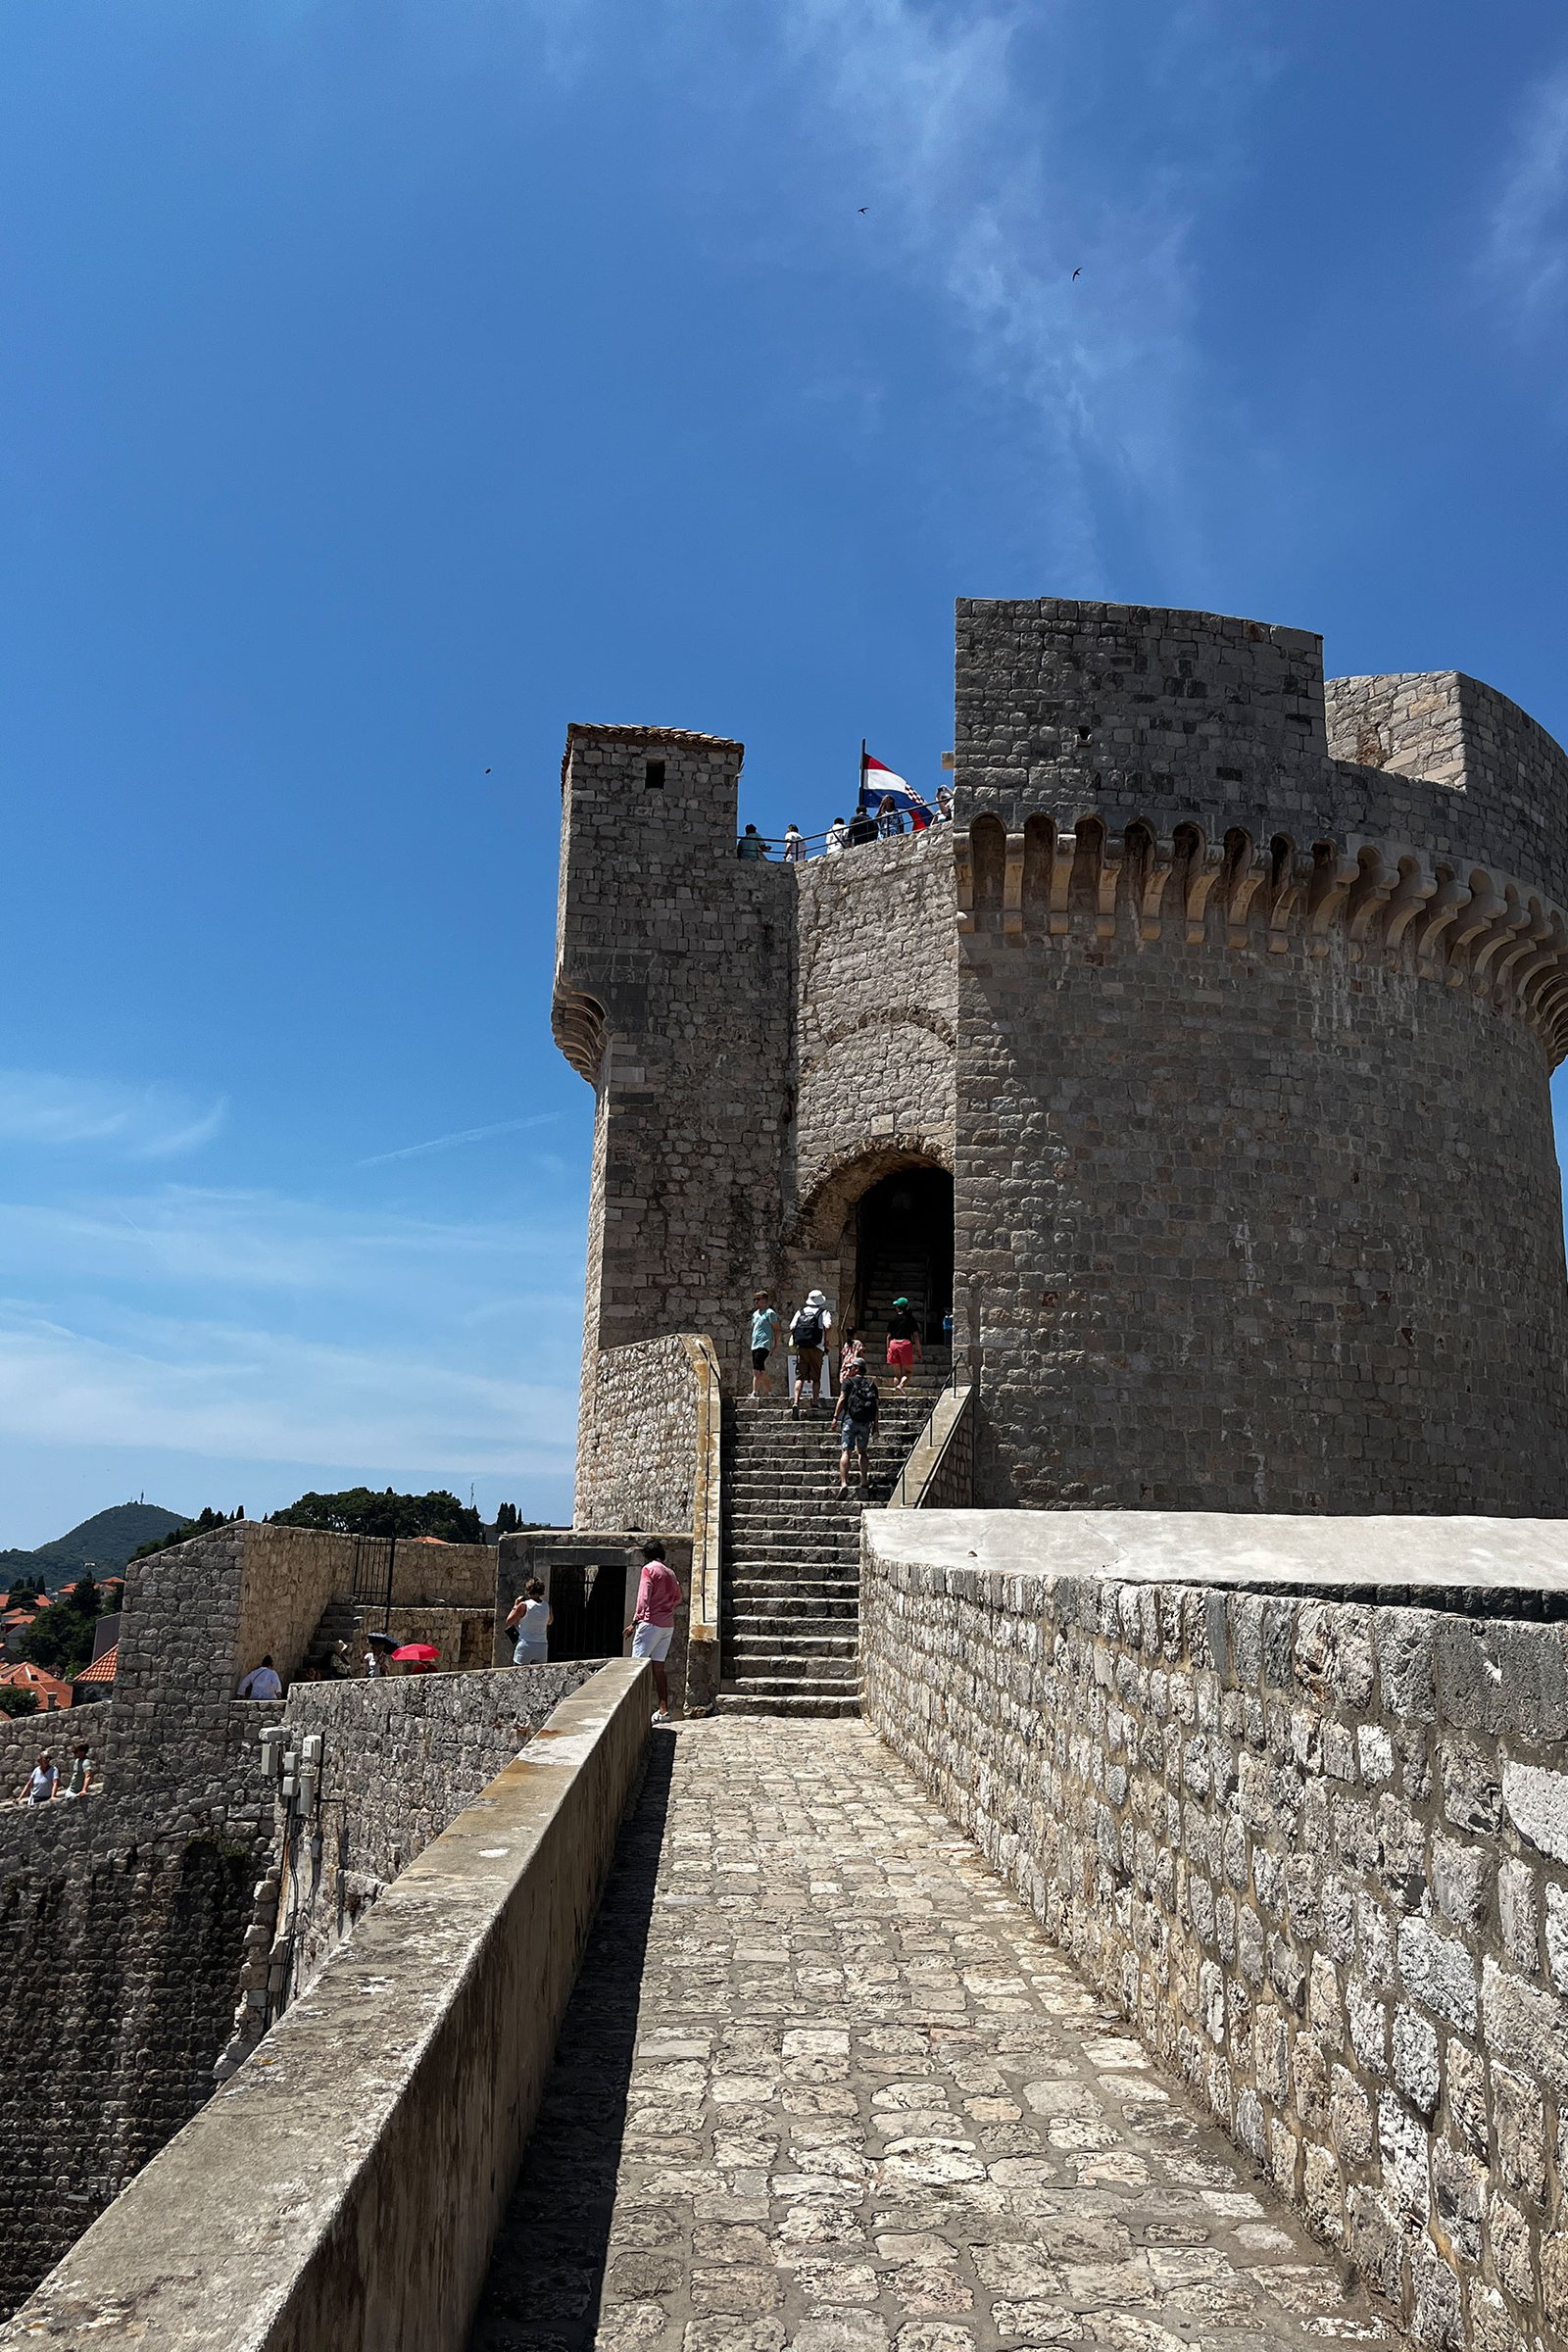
pixel 398 1763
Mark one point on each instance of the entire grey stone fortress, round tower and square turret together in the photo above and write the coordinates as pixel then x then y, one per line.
pixel 1228 1005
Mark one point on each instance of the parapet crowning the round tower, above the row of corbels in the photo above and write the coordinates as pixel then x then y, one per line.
pixel 1184 716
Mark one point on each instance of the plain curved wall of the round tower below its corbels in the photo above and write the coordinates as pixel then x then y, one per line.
pixel 1240 1234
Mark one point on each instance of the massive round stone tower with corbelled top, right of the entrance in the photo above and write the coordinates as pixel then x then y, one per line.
pixel 1259 1001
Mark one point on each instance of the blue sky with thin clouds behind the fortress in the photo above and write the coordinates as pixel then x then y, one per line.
pixel 389 385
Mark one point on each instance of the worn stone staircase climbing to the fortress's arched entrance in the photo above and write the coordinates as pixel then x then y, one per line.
pixel 793 1551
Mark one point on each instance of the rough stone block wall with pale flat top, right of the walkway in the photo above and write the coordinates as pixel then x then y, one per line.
pixel 1318 1847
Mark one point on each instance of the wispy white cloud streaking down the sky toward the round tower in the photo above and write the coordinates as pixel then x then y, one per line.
pixel 996 156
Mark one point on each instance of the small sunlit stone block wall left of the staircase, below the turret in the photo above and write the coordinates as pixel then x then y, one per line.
pixel 641 1459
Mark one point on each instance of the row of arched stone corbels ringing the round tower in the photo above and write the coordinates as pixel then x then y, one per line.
pixel 1466 928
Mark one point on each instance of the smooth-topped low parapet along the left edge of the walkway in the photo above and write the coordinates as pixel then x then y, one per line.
pixel 344 2191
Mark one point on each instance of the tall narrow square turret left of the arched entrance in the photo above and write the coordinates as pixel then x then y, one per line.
pixel 674 998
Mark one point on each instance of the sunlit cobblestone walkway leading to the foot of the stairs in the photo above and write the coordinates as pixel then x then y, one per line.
pixel 826 2085
